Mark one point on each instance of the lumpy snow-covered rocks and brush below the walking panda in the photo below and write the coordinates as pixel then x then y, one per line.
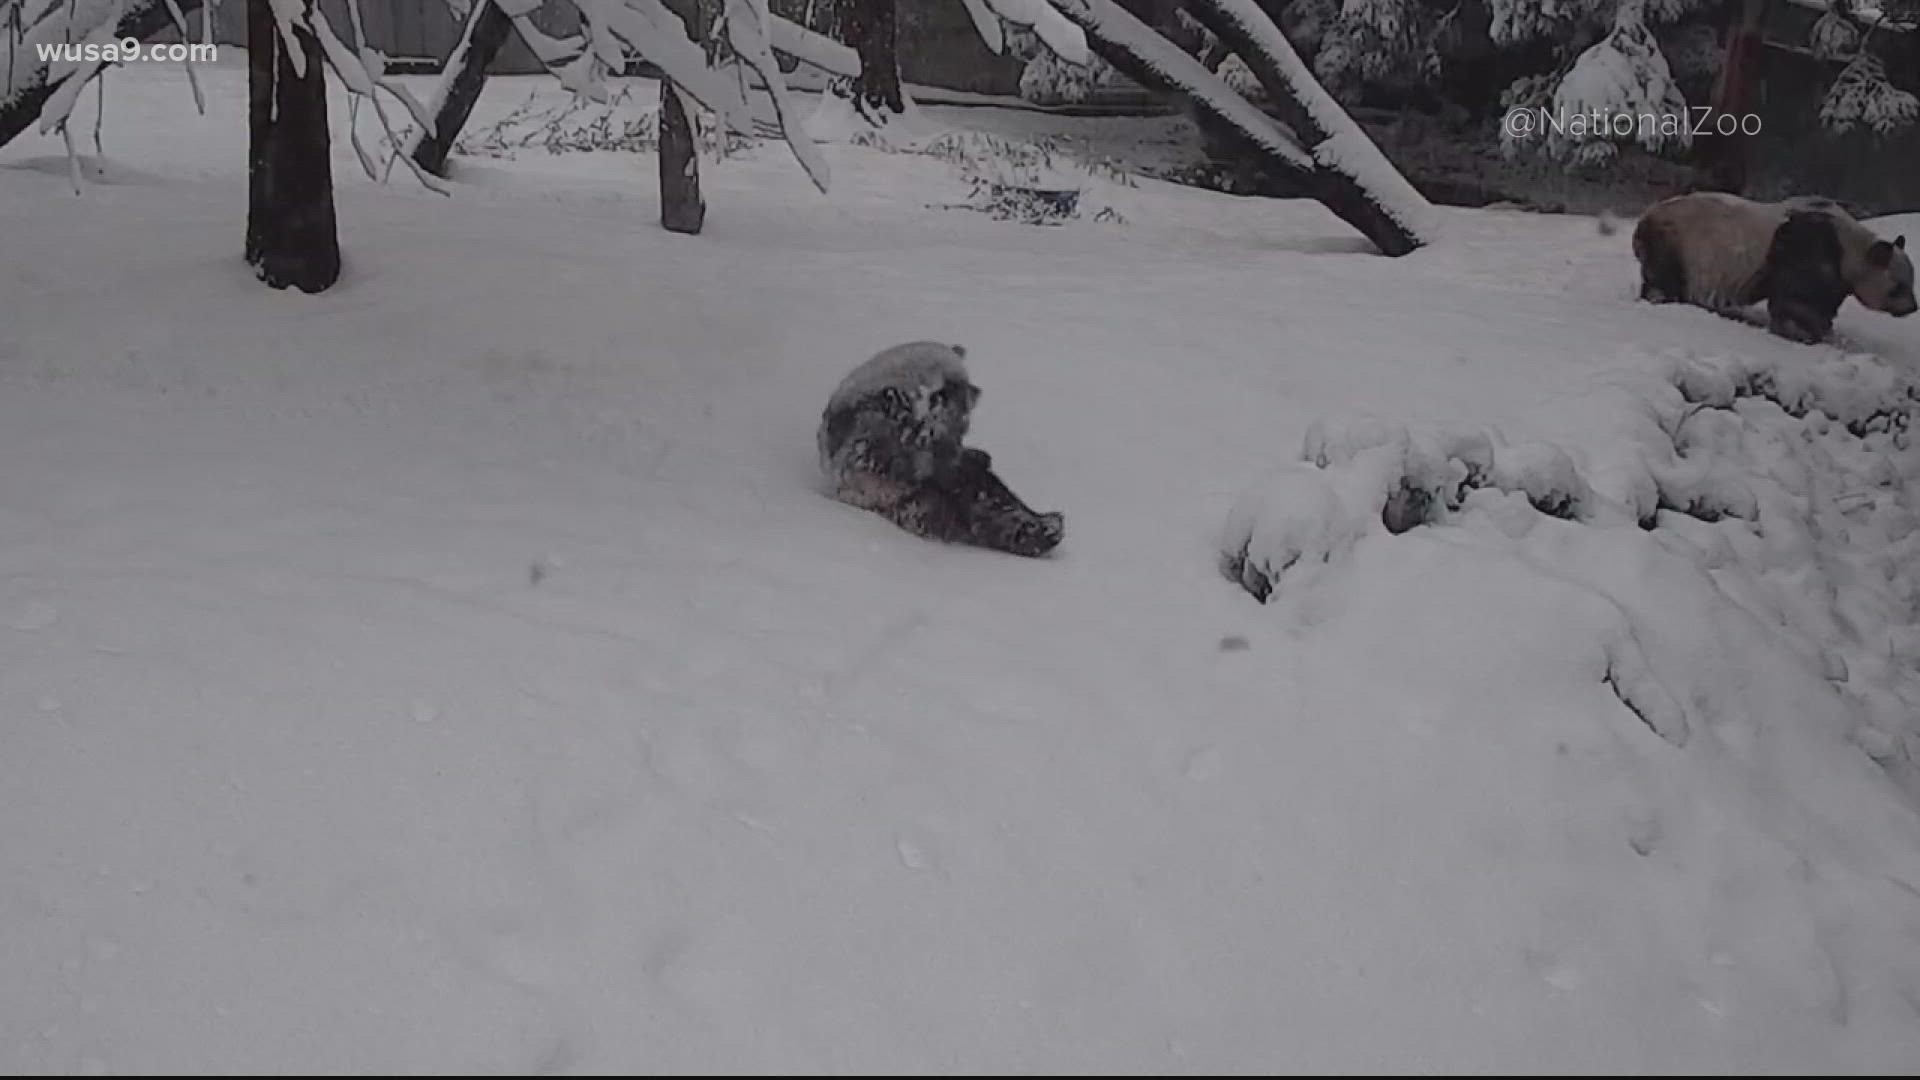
pixel 1777 495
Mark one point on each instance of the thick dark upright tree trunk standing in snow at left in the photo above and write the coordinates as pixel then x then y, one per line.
pixel 291 233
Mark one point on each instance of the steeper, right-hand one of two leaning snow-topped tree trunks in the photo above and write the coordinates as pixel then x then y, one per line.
pixel 1284 80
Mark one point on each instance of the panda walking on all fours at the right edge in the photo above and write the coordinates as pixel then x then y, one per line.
pixel 1802 257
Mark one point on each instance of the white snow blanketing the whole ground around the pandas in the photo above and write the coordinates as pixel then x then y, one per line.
pixel 464 672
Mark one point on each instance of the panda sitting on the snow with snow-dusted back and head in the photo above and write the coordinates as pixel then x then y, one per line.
pixel 892 443
